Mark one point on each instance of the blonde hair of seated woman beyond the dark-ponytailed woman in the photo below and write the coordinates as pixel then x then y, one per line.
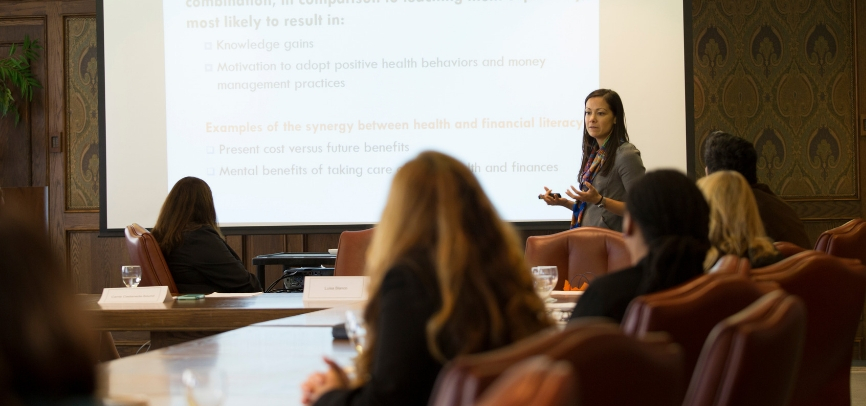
pixel 735 224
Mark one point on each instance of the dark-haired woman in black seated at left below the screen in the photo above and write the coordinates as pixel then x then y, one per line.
pixel 194 248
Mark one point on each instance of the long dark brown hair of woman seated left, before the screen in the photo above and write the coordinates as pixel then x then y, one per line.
pixel 189 206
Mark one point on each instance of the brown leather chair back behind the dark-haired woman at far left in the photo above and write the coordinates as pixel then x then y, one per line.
pixel 144 251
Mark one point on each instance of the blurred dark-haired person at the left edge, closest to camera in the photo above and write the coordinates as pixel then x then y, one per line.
pixel 47 354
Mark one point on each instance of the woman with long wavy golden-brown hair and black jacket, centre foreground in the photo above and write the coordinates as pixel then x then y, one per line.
pixel 447 278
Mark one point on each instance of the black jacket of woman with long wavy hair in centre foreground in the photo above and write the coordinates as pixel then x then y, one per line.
pixel 403 371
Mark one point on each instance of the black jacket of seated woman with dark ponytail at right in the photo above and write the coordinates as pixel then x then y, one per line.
pixel 609 295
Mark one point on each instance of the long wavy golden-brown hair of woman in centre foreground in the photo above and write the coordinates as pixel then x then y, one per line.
pixel 437 211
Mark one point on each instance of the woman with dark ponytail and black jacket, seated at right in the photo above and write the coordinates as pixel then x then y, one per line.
pixel 666 228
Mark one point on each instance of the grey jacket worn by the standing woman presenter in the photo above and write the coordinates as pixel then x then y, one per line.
pixel 627 169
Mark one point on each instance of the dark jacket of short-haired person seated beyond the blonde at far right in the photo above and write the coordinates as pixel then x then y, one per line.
pixel 780 221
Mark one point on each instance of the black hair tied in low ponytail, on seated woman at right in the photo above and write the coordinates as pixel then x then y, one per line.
pixel 674 220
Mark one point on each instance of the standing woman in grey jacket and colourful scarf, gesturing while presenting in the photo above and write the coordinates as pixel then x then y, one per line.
pixel 610 166
